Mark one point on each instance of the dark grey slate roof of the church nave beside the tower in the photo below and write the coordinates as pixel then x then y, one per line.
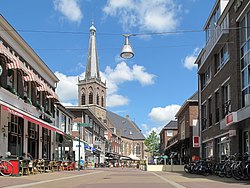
pixel 128 128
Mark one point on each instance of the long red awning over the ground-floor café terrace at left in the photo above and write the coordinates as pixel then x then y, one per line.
pixel 32 119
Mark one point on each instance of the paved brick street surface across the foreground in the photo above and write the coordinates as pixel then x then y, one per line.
pixel 118 178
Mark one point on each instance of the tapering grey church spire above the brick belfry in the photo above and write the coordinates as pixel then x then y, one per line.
pixel 92 68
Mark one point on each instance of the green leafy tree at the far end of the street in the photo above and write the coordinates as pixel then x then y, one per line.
pixel 152 143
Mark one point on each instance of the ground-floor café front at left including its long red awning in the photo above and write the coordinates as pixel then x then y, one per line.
pixel 25 133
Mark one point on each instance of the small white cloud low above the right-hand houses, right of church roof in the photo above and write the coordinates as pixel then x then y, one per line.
pixel 164 115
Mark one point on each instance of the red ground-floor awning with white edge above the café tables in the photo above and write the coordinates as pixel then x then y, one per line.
pixel 30 118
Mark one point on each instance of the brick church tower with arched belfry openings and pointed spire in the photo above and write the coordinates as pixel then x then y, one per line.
pixel 91 90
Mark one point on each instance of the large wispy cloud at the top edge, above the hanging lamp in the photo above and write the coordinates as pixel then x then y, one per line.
pixel 148 15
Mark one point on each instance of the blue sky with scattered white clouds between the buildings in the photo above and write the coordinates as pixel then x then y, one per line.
pixel 152 86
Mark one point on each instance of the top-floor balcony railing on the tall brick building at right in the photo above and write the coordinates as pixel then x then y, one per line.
pixel 219 31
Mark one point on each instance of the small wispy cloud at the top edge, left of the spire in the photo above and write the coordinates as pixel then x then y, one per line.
pixel 70 9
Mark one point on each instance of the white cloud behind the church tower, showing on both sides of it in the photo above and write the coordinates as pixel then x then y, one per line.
pixel 68 91
